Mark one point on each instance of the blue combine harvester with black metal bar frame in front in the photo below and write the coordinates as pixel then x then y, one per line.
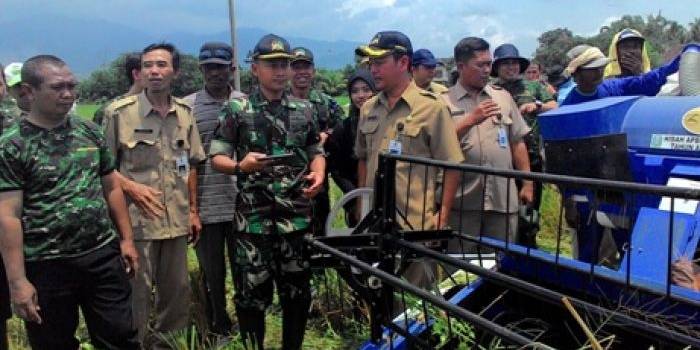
pixel 628 170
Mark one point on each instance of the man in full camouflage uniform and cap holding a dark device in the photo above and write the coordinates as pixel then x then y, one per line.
pixel 274 207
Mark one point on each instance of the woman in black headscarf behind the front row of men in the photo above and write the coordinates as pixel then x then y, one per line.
pixel 341 161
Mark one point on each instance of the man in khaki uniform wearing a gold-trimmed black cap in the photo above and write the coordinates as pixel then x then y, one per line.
pixel 404 119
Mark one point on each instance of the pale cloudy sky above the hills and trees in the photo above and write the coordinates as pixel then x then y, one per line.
pixel 433 24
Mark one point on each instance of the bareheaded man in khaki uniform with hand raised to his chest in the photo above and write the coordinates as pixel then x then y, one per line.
pixel 492 133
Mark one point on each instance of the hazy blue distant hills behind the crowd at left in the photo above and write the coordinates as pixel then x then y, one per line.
pixel 86 44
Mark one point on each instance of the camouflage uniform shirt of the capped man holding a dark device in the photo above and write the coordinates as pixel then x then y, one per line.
pixel 270 201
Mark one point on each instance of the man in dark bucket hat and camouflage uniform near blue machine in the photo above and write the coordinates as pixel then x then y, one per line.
pixel 532 98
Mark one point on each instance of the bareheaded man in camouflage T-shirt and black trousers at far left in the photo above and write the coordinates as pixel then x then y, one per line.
pixel 58 190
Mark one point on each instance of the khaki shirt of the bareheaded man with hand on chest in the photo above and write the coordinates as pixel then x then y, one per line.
pixel 480 146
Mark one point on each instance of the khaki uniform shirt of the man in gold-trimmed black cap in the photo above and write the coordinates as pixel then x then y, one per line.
pixel 422 124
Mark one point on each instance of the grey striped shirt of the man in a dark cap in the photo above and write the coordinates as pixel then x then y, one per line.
pixel 216 192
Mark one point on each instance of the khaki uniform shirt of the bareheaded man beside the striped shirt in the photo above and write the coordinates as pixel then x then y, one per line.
pixel 148 148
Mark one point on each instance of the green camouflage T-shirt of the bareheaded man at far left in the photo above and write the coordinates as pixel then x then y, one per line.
pixel 64 212
